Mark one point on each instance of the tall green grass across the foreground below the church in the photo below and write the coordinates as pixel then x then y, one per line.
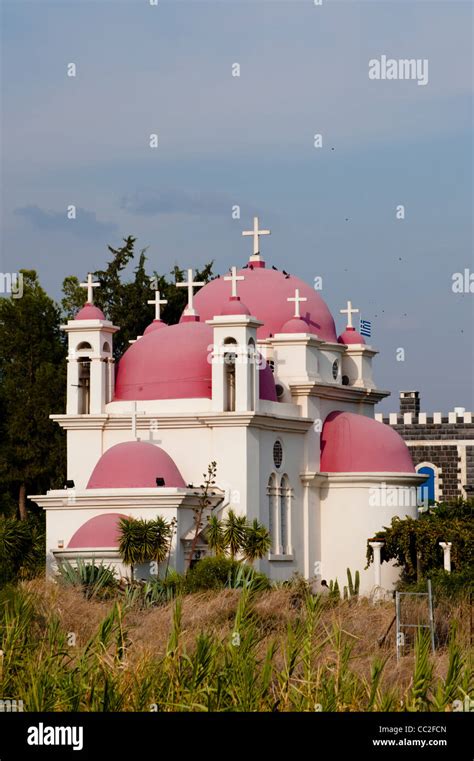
pixel 314 665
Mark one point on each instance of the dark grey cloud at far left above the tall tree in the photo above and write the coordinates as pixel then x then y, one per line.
pixel 85 224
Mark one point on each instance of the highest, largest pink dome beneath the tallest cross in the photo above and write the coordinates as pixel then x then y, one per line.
pixel 265 291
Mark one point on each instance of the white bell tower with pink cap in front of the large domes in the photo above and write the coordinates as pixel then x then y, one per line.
pixel 235 376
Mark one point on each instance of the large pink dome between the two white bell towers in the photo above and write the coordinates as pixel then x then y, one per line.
pixel 173 364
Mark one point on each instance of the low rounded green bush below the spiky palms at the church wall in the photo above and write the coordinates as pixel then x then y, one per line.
pixel 219 572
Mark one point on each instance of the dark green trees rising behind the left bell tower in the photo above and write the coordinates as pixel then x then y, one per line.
pixel 125 303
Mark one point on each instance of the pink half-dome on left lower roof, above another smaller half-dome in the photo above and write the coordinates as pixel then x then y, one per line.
pixel 132 465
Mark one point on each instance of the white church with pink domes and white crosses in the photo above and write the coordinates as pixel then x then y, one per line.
pixel 254 377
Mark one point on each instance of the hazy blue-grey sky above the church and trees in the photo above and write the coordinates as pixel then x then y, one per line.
pixel 248 141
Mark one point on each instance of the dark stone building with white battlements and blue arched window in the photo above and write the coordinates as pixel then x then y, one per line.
pixel 441 446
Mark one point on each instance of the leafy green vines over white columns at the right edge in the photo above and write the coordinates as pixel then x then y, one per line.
pixel 414 544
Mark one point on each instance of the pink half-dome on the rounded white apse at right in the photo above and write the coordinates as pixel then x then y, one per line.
pixel 352 443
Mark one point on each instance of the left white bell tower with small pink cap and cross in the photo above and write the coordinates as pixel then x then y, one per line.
pixel 90 368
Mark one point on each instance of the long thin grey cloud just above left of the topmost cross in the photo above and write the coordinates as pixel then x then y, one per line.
pixel 173 201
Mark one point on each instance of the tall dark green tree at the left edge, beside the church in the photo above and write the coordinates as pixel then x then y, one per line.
pixel 32 385
